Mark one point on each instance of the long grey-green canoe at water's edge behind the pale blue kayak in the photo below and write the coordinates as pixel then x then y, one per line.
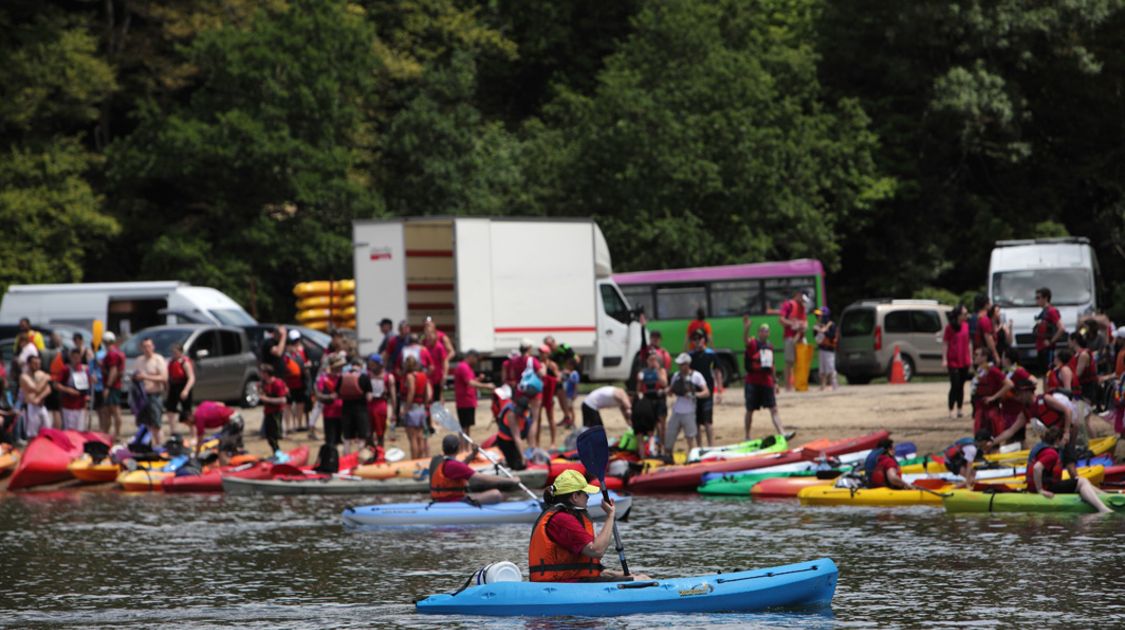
pixel 352 487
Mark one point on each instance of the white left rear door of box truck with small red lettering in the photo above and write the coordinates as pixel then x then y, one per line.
pixel 381 280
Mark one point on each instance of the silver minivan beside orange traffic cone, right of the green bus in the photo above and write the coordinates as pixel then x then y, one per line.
pixel 871 329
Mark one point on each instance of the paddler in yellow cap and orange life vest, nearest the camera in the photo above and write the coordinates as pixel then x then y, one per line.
pixel 563 546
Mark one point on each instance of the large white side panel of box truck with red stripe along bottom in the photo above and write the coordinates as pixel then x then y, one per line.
pixel 536 294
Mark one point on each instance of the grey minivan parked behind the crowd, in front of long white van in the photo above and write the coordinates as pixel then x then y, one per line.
pixel 227 368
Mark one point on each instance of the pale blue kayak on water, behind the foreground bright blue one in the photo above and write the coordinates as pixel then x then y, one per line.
pixel 462 514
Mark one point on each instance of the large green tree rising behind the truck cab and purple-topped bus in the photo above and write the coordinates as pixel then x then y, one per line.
pixel 708 141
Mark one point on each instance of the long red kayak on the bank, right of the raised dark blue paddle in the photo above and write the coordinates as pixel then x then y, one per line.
pixel 686 479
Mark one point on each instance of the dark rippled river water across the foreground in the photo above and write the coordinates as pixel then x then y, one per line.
pixel 104 559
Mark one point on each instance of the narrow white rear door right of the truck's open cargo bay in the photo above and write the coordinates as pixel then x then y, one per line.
pixel 473 245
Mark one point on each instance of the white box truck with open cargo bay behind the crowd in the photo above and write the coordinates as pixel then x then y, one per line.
pixel 490 283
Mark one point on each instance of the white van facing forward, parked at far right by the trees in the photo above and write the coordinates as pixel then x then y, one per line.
pixel 1066 266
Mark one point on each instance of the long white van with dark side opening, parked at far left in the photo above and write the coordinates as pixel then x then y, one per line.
pixel 125 308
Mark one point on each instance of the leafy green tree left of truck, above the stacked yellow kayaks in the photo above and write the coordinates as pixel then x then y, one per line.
pixel 253 185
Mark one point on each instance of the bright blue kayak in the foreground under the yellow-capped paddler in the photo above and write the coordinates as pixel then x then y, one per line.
pixel 787 587
